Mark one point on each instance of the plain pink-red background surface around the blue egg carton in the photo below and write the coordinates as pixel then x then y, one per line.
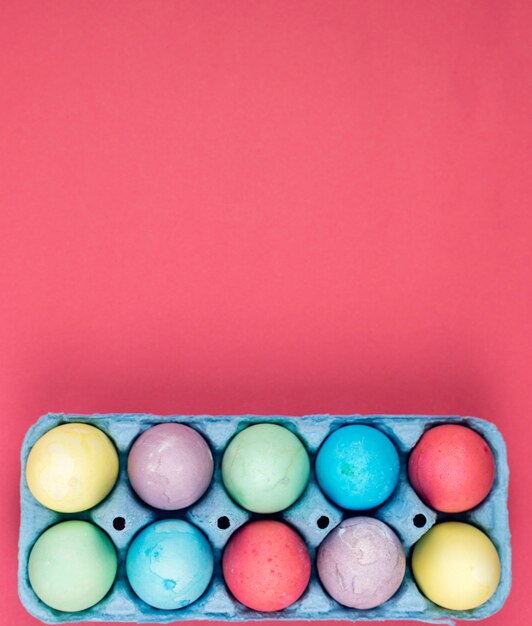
pixel 273 207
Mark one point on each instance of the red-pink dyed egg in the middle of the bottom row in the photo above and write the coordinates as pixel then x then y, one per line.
pixel 266 565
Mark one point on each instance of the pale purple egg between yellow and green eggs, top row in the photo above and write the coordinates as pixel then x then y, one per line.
pixel 170 466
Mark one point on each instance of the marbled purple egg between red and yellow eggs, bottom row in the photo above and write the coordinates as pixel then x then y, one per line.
pixel 361 563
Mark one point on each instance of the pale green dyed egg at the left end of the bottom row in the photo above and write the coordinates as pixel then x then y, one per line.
pixel 72 566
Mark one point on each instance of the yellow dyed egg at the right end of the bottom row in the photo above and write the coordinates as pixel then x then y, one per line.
pixel 456 566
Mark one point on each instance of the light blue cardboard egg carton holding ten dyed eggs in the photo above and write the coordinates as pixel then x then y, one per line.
pixel 122 514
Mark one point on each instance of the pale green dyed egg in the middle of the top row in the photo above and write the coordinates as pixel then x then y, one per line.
pixel 265 468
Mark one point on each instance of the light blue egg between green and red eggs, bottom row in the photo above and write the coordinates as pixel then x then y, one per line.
pixel 169 564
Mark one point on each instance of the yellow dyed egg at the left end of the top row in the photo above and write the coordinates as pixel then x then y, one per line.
pixel 72 467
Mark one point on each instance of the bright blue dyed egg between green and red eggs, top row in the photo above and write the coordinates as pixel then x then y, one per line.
pixel 357 467
